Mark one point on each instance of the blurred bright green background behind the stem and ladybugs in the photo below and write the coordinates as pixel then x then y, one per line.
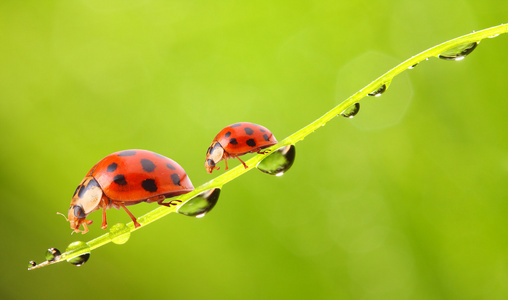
pixel 408 200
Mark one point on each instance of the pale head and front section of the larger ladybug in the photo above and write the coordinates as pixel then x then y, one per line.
pixel 86 199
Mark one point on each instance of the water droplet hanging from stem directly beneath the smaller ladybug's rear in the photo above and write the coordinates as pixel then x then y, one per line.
pixel 279 161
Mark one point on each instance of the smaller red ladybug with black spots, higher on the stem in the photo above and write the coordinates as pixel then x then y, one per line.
pixel 235 140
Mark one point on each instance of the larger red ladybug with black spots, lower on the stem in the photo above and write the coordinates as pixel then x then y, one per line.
pixel 127 178
